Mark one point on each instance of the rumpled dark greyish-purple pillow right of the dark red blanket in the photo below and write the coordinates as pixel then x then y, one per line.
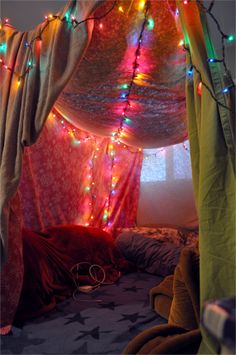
pixel 151 255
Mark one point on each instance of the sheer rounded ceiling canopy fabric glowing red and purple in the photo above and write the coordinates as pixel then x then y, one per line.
pixel 91 100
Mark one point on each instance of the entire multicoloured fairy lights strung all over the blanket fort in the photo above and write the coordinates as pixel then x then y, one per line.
pixel 125 95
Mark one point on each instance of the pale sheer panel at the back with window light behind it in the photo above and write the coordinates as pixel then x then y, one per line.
pixel 166 191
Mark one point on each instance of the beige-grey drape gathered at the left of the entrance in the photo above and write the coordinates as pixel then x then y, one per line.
pixel 24 109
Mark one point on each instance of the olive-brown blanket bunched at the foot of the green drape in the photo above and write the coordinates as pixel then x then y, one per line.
pixel 181 335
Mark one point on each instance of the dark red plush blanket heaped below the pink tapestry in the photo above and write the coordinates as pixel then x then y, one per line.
pixel 49 257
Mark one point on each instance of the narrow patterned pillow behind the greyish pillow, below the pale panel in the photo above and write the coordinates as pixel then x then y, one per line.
pixel 178 236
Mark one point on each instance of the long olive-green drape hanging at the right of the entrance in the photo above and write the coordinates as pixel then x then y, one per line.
pixel 211 136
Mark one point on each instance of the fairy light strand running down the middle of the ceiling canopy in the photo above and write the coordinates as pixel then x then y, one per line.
pixel 125 95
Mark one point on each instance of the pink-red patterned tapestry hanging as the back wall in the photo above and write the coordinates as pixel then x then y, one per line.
pixel 70 176
